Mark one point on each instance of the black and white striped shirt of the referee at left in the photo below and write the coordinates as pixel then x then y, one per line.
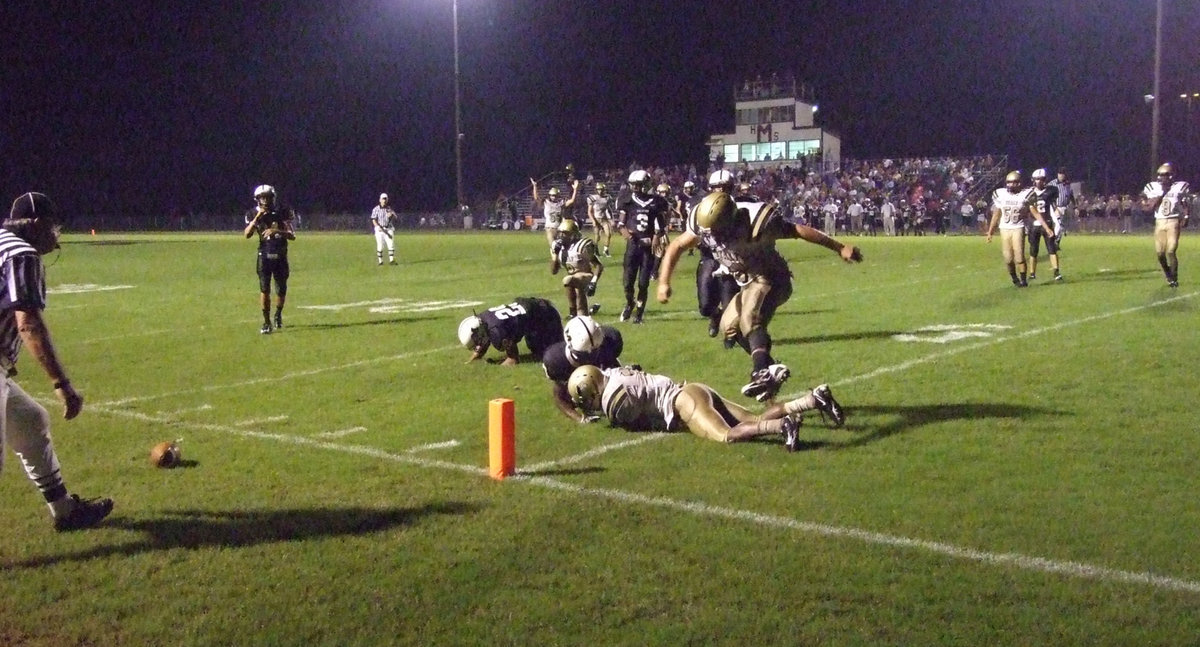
pixel 25 289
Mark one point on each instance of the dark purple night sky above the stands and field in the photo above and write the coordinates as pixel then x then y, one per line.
pixel 141 109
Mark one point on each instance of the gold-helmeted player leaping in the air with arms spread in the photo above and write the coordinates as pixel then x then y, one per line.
pixel 742 237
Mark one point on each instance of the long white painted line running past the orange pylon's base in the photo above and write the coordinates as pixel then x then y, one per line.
pixel 1024 562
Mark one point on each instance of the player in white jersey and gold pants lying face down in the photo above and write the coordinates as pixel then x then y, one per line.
pixel 639 402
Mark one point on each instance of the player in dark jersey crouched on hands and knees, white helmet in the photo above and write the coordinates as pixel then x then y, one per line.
pixel 503 327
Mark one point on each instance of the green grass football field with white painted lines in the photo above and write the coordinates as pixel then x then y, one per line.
pixel 1018 466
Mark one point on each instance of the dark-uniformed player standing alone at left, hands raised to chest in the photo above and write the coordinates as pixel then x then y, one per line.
pixel 273 224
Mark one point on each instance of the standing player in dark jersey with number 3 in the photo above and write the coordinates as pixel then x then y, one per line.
pixel 643 221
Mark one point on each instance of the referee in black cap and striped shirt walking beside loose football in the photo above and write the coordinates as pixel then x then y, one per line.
pixel 31 232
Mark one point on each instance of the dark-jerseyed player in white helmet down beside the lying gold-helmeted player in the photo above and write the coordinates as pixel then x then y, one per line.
pixel 586 343
